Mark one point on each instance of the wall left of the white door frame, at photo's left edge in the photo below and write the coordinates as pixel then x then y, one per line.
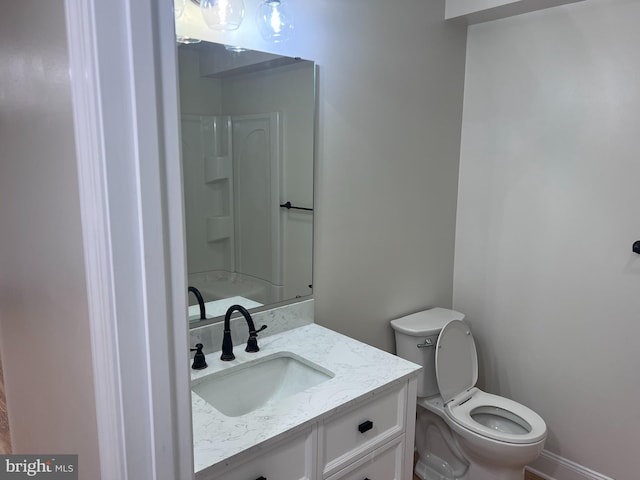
pixel 45 338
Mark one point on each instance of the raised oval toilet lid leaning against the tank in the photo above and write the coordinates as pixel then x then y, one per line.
pixel 456 360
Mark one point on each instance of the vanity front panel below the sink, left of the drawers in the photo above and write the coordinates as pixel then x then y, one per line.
pixel 292 459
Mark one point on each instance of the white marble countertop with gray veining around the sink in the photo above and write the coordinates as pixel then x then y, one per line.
pixel 359 371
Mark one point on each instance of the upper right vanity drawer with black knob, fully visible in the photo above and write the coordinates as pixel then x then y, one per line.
pixel 348 436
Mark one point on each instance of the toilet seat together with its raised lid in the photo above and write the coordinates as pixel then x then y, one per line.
pixel 491 416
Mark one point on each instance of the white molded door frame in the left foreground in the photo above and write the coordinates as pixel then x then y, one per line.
pixel 122 57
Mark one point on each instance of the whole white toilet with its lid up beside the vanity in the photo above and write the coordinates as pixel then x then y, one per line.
pixel 462 433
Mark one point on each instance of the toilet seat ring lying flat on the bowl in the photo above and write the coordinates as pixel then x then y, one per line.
pixel 496 417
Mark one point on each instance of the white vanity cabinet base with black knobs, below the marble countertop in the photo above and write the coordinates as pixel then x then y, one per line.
pixel 369 439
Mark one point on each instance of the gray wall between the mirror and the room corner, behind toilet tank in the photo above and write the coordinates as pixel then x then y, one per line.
pixel 391 80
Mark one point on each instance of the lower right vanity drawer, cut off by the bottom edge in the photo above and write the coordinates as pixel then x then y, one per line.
pixel 385 463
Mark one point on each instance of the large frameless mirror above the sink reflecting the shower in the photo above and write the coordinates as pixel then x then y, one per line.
pixel 247 129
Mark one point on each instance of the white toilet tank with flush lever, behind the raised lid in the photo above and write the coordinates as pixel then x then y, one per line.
pixel 422 328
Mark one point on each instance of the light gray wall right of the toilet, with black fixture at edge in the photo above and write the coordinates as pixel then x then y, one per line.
pixel 547 213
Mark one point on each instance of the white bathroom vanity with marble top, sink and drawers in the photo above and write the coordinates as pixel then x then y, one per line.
pixel 353 419
